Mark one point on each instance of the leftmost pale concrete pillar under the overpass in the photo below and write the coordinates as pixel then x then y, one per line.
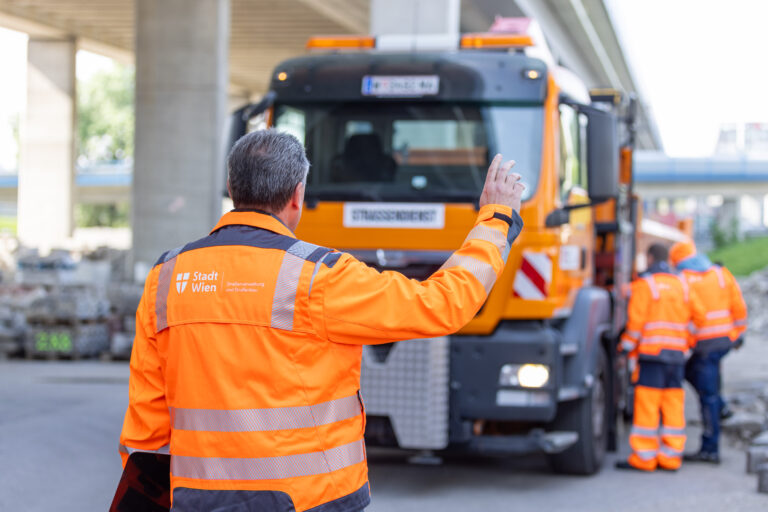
pixel 46 170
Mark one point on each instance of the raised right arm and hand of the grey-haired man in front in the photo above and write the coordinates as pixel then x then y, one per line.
pixel 359 305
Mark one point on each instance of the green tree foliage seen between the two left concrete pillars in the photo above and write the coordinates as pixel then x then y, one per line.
pixel 105 115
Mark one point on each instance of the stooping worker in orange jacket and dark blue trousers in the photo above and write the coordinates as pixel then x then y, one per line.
pixel 724 327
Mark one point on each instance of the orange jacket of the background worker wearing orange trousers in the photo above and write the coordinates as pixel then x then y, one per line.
pixel 661 308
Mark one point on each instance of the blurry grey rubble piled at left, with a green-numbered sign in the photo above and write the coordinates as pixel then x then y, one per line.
pixel 67 305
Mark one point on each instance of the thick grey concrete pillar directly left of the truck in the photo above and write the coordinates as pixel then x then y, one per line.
pixel 181 103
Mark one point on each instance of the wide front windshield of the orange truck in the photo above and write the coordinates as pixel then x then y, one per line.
pixel 409 151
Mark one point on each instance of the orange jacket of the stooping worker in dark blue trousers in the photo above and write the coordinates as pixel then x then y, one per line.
pixel 726 311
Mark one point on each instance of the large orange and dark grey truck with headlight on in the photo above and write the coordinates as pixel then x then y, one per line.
pixel 400 131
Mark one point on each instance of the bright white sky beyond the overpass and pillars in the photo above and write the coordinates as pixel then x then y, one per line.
pixel 697 63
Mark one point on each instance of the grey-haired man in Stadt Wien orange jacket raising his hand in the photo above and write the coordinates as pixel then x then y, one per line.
pixel 246 362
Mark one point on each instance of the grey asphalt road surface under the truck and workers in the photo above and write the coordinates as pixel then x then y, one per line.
pixel 60 422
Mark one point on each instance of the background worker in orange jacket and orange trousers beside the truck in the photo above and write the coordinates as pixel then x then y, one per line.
pixel 661 307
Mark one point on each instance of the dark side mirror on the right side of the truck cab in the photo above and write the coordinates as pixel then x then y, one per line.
pixel 602 154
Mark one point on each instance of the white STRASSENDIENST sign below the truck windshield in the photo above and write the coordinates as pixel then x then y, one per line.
pixel 394 215
